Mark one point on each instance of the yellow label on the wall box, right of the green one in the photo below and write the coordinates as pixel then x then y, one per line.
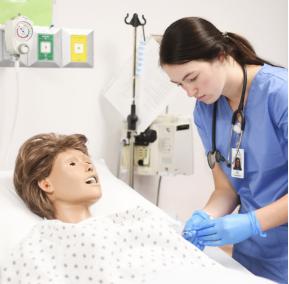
pixel 78 48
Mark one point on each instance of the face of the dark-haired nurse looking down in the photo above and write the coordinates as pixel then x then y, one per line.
pixel 202 80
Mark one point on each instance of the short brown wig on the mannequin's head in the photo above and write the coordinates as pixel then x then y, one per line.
pixel 34 163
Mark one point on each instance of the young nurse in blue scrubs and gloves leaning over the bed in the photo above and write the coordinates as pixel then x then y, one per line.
pixel 241 116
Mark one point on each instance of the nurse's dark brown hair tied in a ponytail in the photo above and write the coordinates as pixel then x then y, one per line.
pixel 195 38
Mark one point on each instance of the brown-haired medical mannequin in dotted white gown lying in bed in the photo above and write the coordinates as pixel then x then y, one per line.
pixel 55 177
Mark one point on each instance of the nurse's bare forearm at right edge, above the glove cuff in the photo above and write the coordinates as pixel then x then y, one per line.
pixel 274 214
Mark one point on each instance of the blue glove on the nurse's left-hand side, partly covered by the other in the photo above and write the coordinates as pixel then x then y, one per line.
pixel 189 232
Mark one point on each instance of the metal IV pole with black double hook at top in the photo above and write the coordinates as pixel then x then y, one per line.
pixel 132 117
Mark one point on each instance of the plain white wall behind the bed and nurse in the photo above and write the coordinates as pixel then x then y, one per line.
pixel 70 100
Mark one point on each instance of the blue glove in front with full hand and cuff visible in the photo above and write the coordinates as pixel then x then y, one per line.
pixel 230 229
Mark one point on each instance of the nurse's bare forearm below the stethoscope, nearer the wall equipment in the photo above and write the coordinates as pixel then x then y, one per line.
pixel 224 199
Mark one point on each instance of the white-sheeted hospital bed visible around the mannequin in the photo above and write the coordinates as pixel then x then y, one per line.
pixel 16 220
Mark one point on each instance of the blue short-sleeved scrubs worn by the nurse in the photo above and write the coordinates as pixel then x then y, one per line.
pixel 265 143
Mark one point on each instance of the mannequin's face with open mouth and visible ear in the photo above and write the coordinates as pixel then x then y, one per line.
pixel 73 180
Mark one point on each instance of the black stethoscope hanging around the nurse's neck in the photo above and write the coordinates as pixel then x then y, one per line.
pixel 238 126
